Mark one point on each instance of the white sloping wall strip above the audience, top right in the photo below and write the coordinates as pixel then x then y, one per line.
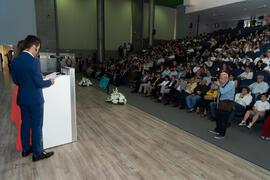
pixel 207 4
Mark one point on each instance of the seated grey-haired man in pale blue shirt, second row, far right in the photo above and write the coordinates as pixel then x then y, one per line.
pixel 259 87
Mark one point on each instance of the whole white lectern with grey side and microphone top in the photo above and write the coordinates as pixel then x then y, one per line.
pixel 59 124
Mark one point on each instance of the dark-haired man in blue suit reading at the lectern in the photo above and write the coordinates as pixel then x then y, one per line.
pixel 26 73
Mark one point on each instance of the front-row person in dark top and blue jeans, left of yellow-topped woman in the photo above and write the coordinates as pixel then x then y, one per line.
pixel 199 92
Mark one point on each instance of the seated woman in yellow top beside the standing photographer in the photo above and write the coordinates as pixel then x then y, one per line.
pixel 211 96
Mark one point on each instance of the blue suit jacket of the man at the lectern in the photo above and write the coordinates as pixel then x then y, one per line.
pixel 26 73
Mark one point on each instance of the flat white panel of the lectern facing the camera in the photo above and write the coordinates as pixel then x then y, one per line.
pixel 57 126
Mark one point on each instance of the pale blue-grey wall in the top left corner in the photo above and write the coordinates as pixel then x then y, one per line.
pixel 17 19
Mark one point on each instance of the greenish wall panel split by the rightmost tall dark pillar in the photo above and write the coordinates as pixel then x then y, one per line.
pixel 164 22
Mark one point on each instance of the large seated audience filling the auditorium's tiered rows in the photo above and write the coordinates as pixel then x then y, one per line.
pixel 183 72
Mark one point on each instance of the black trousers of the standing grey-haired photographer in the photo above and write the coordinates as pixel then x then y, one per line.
pixel 221 121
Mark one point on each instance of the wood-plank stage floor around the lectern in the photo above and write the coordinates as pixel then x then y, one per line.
pixel 120 142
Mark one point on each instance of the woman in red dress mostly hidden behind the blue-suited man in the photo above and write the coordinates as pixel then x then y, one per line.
pixel 15 110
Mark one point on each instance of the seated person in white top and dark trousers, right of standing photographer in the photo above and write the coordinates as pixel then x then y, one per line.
pixel 242 100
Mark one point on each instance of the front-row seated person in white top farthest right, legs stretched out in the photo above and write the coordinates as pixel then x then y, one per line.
pixel 258 111
